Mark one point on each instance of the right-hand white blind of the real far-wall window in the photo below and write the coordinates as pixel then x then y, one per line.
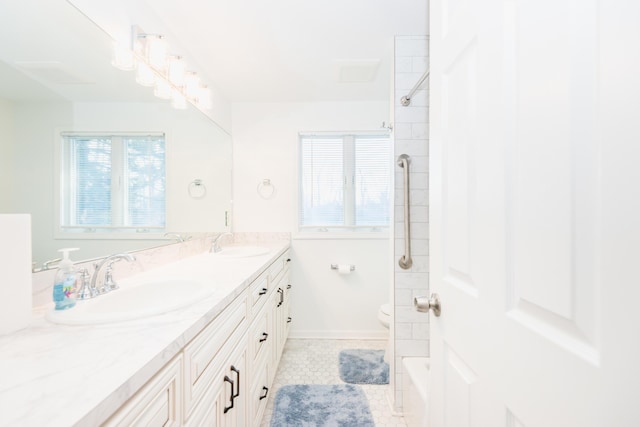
pixel 372 180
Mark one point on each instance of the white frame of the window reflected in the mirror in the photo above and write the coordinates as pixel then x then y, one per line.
pixel 61 173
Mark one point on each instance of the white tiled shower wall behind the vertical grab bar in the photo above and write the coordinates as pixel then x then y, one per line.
pixel 411 132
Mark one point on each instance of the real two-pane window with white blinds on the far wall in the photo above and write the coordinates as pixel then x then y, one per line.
pixel 345 182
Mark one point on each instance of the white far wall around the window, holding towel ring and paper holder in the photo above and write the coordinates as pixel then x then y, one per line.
pixel 324 303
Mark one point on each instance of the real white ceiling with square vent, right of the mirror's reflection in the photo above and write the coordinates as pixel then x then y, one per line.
pixel 294 50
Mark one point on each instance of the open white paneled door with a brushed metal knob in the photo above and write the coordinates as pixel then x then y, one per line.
pixel 535 213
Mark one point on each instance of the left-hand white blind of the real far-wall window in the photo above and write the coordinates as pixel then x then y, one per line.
pixel 322 181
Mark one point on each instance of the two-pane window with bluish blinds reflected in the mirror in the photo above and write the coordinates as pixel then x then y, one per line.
pixel 112 183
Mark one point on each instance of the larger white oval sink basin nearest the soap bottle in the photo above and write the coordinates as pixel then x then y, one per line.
pixel 133 302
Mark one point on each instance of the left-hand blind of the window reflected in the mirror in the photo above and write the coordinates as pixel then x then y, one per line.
pixel 89 183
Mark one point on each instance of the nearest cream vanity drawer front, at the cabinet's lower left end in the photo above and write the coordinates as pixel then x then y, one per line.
pixel 157 403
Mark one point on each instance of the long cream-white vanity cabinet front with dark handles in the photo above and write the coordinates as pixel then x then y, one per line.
pixel 223 375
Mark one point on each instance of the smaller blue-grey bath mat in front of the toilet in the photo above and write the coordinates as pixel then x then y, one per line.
pixel 361 366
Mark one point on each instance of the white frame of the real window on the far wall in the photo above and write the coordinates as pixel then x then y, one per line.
pixel 344 231
